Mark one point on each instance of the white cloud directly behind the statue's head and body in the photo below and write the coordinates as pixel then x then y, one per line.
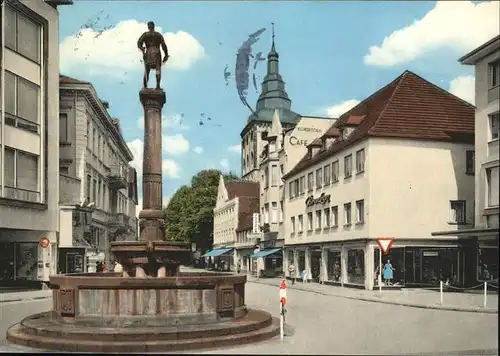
pixel 115 52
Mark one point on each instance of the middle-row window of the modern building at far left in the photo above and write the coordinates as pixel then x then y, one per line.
pixel 21 103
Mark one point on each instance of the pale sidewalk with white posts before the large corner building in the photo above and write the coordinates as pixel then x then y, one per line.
pixel 417 298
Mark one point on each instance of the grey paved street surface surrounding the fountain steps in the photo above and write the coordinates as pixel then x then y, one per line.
pixel 330 325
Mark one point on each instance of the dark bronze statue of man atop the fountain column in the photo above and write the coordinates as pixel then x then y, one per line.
pixel 152 40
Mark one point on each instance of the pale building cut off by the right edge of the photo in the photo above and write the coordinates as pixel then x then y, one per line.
pixel 483 239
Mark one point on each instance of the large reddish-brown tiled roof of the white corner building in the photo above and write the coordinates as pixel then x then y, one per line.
pixel 409 107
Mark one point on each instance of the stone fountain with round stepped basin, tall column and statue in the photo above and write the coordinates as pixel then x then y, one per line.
pixel 151 306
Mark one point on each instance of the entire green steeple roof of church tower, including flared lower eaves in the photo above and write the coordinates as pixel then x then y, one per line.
pixel 273 95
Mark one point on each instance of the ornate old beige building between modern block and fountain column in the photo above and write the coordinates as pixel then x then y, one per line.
pixel 98 188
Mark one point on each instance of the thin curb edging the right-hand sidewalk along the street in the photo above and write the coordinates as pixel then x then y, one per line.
pixel 412 305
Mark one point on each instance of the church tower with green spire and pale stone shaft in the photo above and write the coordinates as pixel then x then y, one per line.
pixel 273 98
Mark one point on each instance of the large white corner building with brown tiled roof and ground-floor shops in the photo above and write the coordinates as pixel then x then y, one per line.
pixel 393 166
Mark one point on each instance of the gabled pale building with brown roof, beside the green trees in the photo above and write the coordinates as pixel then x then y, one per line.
pixel 236 202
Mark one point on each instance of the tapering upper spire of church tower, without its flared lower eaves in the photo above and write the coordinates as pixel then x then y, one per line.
pixel 273 95
